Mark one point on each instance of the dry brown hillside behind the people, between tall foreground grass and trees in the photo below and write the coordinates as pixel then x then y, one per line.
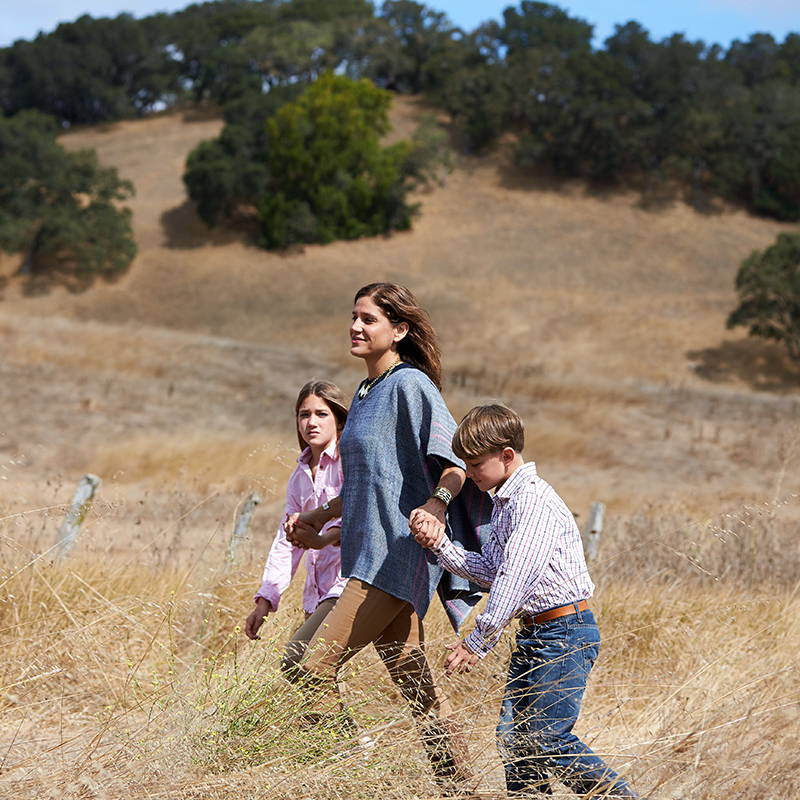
pixel 603 322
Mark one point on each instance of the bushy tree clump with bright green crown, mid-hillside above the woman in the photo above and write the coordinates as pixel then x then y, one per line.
pixel 246 167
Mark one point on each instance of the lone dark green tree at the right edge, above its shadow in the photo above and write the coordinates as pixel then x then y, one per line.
pixel 768 284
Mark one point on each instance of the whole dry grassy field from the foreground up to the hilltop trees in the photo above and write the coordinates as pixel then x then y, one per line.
pixel 124 673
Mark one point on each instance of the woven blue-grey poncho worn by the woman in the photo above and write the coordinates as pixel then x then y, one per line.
pixel 393 448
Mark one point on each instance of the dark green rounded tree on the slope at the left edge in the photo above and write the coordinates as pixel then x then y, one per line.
pixel 59 208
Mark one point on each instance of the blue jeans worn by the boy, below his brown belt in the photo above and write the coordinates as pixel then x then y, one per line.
pixel 546 681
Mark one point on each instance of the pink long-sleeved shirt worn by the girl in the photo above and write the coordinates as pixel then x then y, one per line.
pixel 323 570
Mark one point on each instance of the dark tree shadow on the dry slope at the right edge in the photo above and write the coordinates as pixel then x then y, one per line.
pixel 762 365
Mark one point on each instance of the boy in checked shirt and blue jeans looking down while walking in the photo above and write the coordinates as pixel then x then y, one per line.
pixel 534 565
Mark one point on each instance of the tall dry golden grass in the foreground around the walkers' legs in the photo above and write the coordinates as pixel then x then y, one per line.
pixel 133 680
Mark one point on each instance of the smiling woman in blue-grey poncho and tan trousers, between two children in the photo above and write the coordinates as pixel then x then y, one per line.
pixel 398 467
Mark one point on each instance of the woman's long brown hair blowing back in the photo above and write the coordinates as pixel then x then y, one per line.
pixel 419 346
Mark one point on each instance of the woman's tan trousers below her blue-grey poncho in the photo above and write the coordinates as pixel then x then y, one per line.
pixel 363 615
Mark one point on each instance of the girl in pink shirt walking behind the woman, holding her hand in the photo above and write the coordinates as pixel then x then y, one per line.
pixel 320 413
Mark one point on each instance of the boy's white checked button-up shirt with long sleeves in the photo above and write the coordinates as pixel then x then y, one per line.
pixel 533 559
